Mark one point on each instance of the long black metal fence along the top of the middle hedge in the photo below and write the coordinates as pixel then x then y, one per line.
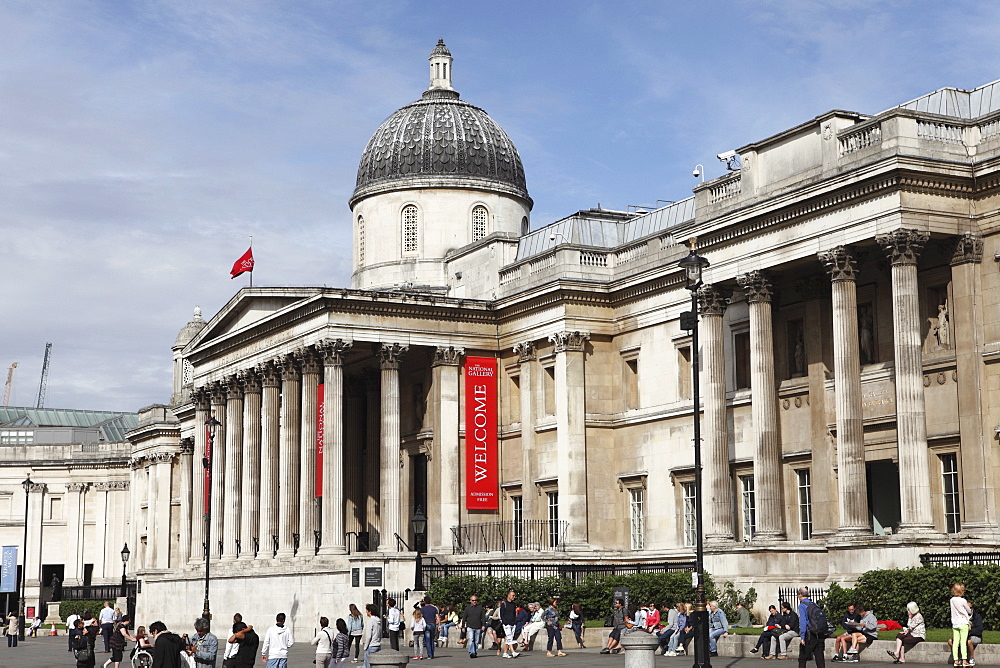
pixel 577 573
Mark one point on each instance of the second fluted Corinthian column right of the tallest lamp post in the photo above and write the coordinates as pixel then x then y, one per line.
pixel 764 407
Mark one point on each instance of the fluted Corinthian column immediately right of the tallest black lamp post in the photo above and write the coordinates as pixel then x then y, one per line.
pixel 718 482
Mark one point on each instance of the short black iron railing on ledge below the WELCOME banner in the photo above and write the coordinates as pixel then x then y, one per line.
pixel 510 536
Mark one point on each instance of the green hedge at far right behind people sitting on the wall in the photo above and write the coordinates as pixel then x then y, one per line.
pixel 888 591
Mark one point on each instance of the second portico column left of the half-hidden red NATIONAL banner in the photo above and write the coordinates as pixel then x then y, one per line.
pixel 289 454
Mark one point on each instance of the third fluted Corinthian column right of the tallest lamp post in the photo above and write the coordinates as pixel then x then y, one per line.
pixel 851 492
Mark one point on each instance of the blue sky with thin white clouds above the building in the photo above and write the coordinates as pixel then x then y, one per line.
pixel 143 142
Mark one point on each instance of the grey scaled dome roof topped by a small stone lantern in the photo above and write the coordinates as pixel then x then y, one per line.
pixel 440 141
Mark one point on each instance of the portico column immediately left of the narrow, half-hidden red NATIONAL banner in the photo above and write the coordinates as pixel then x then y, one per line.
pixel 308 502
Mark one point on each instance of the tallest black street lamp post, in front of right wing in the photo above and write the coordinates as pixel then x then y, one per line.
pixel 693 265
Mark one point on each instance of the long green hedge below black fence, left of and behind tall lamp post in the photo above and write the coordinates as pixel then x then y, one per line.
pixel 594 593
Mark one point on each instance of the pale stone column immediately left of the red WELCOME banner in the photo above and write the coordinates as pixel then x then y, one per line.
pixel 447 370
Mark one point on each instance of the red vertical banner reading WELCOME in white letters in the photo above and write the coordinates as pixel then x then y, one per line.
pixel 482 472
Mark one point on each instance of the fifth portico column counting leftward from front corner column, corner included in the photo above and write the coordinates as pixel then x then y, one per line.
pixel 250 478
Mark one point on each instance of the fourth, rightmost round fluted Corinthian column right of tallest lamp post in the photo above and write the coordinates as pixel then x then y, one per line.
pixel 903 248
